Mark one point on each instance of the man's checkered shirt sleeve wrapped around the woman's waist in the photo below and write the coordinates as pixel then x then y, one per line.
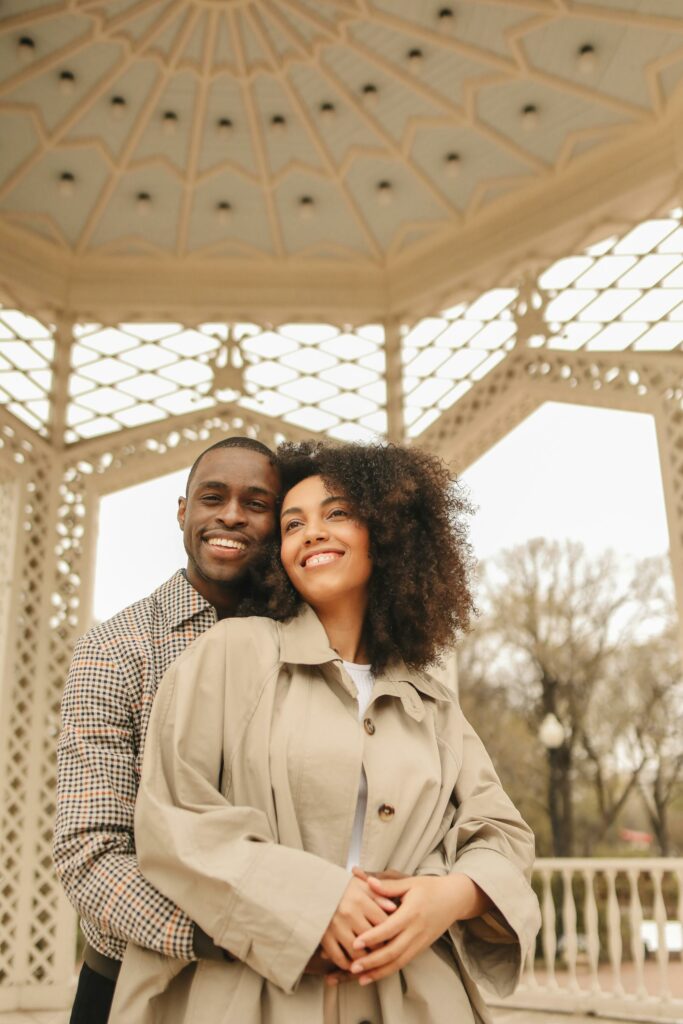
pixel 95 851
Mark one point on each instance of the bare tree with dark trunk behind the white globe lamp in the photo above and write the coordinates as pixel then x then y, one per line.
pixel 556 627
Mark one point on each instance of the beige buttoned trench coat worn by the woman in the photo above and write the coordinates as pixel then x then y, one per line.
pixel 244 819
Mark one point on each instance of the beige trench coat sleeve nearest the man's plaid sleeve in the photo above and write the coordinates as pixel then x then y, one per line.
pixel 267 904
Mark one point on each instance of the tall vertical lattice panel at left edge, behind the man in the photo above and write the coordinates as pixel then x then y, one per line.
pixel 33 906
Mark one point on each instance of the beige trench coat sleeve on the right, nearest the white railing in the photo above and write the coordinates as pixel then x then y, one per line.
pixel 493 845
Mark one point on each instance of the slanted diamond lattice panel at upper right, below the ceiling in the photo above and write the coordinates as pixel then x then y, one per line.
pixel 623 293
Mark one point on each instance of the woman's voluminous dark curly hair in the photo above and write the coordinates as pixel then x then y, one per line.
pixel 420 589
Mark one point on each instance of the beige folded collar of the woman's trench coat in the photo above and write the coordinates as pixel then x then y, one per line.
pixel 304 642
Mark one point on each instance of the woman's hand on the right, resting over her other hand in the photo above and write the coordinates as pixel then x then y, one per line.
pixel 429 908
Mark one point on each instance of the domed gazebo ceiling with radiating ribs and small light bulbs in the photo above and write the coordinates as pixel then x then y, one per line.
pixel 164 152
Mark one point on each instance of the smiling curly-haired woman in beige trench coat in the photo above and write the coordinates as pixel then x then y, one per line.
pixel 290 763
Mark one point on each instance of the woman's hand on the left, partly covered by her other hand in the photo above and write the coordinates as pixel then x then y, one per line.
pixel 361 909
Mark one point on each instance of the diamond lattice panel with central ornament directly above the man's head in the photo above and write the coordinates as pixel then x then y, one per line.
pixel 318 377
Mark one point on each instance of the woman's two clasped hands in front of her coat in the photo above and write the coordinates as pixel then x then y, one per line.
pixel 382 924
